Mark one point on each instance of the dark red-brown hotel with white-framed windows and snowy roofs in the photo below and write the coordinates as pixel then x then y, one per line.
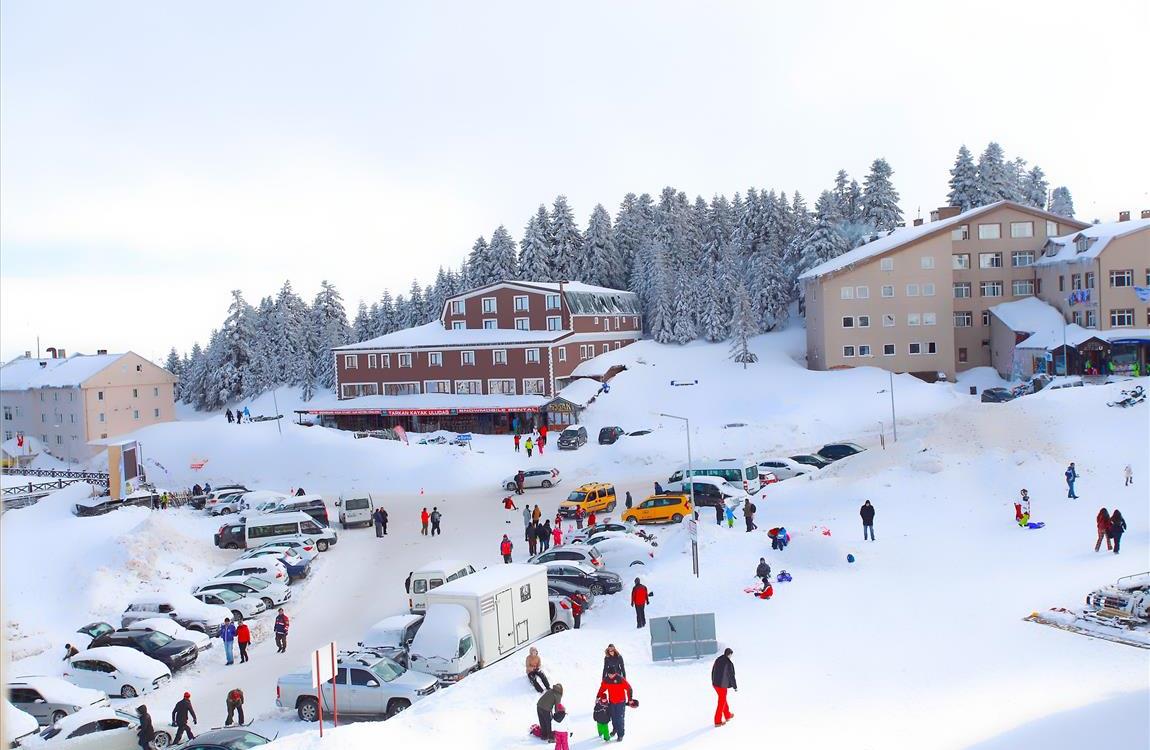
pixel 499 356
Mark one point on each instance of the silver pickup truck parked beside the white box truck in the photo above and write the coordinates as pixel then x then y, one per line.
pixel 369 687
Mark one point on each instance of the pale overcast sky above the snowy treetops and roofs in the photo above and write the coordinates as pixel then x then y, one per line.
pixel 156 156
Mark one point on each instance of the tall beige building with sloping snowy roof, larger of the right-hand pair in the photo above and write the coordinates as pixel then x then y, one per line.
pixel 918 301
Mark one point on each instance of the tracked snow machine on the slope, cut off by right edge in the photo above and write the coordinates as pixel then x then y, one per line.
pixel 1118 614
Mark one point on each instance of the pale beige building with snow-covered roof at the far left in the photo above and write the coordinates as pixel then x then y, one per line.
pixel 72 403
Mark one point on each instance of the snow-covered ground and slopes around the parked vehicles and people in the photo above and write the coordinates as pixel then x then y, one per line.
pixel 919 644
